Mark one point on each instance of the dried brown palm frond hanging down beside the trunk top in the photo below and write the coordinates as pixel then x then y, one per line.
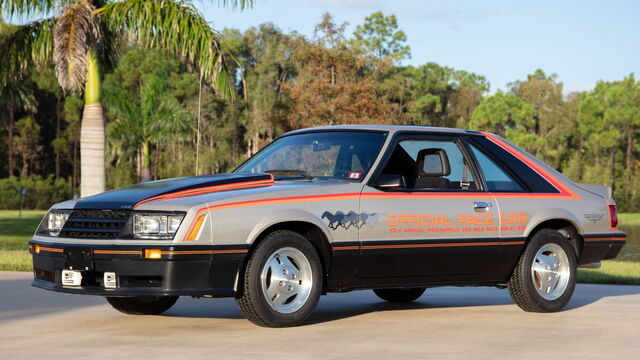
pixel 75 31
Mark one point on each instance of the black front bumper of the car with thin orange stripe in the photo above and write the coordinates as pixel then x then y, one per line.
pixel 191 270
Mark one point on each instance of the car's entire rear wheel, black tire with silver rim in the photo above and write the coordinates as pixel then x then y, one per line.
pixel 545 276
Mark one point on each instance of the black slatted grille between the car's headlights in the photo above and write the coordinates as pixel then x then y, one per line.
pixel 95 224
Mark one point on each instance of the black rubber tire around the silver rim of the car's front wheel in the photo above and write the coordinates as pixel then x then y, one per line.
pixel 254 304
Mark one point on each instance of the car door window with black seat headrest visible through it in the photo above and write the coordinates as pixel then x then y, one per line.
pixel 431 164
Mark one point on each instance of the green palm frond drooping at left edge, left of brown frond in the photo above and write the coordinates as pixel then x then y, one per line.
pixel 25 46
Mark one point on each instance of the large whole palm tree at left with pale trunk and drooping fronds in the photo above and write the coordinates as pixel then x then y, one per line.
pixel 82 37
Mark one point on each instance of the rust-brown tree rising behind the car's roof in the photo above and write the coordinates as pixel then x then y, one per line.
pixel 335 85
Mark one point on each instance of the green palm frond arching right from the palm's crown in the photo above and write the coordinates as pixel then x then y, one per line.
pixel 177 27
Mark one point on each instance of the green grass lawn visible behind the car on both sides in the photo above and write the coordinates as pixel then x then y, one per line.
pixel 15 232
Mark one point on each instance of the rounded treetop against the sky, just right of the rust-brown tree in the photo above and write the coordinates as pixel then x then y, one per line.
pixel 381 38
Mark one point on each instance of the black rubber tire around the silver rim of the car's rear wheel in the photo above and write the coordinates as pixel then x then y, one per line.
pixel 521 284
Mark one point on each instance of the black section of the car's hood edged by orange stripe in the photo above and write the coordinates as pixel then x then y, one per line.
pixel 128 197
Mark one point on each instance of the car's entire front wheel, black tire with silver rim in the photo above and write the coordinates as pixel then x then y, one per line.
pixel 282 282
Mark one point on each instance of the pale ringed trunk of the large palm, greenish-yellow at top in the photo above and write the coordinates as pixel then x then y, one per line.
pixel 92 174
